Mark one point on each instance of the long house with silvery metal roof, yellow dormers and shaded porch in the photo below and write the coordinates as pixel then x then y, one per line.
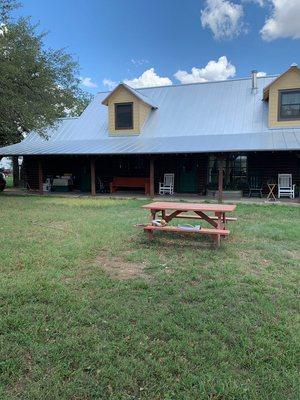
pixel 207 134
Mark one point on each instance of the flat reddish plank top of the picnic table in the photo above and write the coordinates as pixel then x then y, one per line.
pixel 170 205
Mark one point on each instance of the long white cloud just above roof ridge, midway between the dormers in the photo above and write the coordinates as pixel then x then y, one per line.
pixel 213 71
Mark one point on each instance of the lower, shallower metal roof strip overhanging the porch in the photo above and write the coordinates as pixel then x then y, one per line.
pixel 276 140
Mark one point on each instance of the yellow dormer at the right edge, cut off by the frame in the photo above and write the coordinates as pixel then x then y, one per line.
pixel 283 95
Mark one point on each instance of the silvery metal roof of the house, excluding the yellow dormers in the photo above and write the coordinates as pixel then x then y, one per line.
pixel 203 117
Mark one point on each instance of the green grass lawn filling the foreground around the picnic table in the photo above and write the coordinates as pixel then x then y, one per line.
pixel 91 310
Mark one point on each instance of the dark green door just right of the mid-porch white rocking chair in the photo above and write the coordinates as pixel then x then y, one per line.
pixel 188 176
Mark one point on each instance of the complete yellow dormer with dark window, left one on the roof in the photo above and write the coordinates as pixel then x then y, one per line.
pixel 128 110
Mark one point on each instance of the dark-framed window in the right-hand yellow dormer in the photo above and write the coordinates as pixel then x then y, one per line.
pixel 289 105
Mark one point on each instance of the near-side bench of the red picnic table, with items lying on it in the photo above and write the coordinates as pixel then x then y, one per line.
pixel 214 233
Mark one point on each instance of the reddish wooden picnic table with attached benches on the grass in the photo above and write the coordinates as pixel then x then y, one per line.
pixel 214 214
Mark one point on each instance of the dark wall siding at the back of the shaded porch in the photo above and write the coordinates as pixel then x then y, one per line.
pixel 265 164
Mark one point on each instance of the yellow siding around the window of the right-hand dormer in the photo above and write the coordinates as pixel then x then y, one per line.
pixel 291 80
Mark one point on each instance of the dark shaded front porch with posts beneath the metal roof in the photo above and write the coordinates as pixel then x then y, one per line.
pixel 208 176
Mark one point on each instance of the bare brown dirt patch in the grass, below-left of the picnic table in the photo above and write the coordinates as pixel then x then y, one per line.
pixel 120 268
